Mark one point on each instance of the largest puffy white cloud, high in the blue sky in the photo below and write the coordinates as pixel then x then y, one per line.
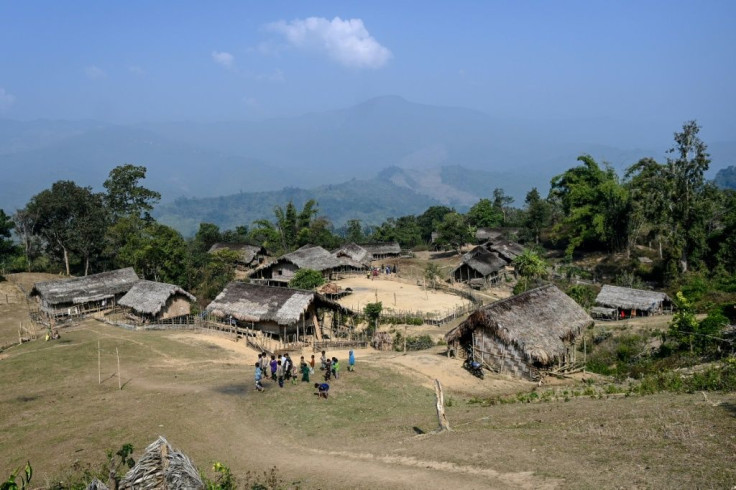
pixel 346 41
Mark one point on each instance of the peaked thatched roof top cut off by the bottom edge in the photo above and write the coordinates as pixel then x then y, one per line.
pixel 162 468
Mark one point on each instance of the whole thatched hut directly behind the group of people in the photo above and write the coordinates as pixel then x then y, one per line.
pixel 278 311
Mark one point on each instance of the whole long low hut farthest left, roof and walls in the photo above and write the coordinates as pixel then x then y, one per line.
pixel 83 295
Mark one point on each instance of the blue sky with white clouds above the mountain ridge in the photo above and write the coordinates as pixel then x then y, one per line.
pixel 141 61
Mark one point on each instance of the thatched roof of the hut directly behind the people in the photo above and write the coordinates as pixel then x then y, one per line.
pixel 256 303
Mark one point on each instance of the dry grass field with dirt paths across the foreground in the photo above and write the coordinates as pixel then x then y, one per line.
pixel 373 432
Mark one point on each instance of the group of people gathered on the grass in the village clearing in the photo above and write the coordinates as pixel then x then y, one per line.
pixel 283 369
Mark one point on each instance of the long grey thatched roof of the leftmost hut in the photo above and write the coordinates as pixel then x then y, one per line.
pixel 85 289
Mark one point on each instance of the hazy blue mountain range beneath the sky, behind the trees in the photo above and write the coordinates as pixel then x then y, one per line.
pixel 423 154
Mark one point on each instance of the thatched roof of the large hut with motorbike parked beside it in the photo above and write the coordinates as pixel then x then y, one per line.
pixel 537 321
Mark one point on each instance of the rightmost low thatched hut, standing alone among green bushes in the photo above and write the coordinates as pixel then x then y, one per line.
pixel 628 302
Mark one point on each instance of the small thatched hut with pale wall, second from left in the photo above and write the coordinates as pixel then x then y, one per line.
pixel 150 301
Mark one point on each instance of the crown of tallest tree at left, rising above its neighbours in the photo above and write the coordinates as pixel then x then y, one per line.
pixel 125 196
